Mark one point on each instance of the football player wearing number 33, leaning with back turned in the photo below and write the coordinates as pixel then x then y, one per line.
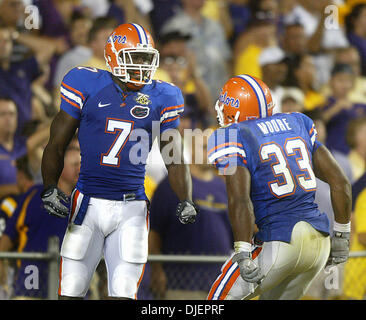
pixel 270 163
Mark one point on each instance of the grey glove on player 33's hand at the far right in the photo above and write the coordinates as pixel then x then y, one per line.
pixel 339 248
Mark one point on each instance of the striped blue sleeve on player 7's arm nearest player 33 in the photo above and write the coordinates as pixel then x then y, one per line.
pixel 172 108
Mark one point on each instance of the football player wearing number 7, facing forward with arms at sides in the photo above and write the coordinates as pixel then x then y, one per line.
pixel 109 207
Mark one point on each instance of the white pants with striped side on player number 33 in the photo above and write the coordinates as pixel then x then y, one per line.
pixel 289 268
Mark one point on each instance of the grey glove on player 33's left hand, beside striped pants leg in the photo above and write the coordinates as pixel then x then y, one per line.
pixel 249 270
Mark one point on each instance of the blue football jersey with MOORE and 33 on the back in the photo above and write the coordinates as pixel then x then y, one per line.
pixel 277 151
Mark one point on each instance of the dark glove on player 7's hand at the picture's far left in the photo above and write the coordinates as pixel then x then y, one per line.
pixel 52 198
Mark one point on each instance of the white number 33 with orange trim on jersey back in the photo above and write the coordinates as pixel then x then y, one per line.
pixel 293 147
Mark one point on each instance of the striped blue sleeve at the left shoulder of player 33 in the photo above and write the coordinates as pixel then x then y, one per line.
pixel 226 150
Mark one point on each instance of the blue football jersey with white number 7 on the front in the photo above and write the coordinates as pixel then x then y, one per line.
pixel 116 129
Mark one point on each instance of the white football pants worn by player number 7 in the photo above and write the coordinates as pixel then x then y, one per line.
pixel 116 229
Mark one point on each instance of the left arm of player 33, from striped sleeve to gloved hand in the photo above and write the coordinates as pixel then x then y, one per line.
pixel 227 153
